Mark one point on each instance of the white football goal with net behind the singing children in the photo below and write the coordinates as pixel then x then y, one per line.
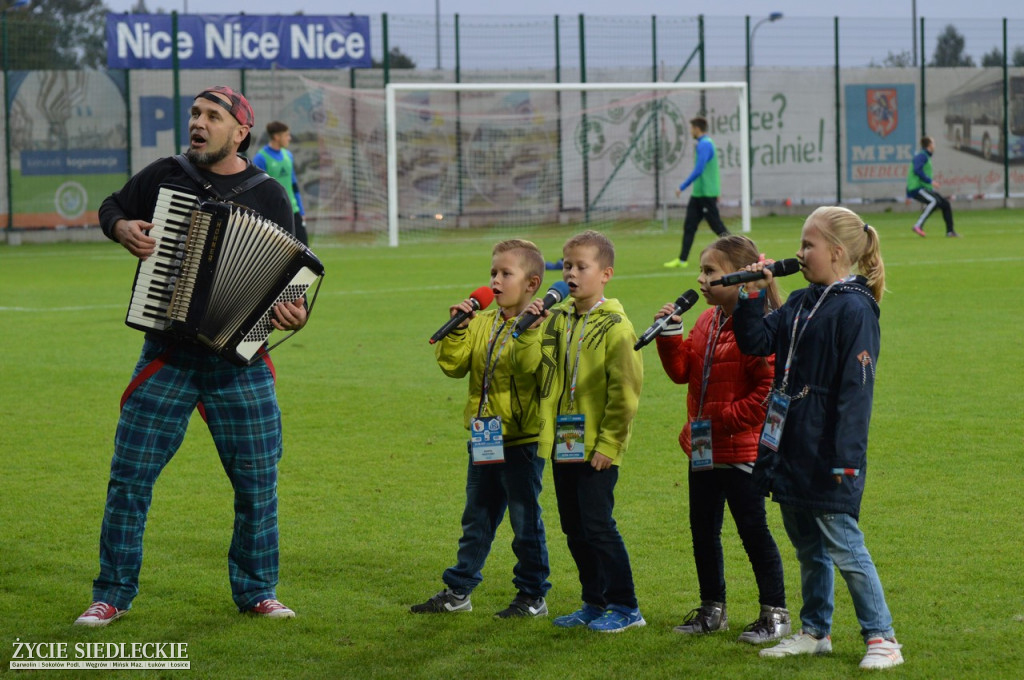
pixel 527 155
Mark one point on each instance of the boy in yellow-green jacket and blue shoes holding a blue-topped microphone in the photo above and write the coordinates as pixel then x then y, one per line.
pixel 590 388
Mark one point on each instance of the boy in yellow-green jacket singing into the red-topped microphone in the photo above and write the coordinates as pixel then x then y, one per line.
pixel 503 417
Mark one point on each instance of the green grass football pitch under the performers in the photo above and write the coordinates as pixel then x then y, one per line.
pixel 374 470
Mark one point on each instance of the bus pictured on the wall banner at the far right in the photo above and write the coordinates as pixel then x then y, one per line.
pixel 974 118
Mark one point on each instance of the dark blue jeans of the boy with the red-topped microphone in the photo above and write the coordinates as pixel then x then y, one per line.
pixel 491 489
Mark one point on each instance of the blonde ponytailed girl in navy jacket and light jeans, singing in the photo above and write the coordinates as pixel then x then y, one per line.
pixel 813 456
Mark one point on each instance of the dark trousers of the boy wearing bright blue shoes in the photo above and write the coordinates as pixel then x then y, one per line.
pixel 586 499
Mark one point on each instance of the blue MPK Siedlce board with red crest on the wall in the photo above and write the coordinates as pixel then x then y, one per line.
pixel 881 127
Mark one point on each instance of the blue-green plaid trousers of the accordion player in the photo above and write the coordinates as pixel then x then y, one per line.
pixel 245 421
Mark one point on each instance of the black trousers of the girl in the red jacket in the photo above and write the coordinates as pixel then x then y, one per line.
pixel 710 490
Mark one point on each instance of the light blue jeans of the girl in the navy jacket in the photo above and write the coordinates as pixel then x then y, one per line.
pixel 823 540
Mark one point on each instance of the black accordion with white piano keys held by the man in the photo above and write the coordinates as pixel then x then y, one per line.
pixel 218 273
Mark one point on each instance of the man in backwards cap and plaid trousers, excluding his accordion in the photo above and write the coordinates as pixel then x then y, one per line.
pixel 174 377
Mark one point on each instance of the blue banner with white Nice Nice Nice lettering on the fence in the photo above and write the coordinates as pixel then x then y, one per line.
pixel 244 41
